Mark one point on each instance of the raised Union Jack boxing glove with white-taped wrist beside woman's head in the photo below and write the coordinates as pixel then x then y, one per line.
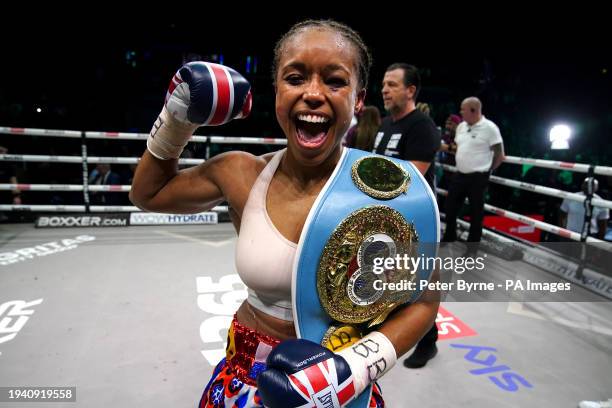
pixel 200 94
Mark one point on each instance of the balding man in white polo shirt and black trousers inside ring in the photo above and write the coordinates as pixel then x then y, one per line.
pixel 479 149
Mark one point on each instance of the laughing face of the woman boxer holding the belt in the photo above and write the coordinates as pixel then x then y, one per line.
pixel 317 93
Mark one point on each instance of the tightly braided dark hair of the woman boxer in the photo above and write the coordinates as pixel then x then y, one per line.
pixel 364 61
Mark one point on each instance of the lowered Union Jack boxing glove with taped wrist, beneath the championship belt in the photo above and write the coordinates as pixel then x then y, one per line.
pixel 301 373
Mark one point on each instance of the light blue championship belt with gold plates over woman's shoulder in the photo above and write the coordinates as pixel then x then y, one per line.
pixel 372 207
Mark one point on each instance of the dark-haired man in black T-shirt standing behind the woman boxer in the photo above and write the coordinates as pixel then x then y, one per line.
pixel 409 134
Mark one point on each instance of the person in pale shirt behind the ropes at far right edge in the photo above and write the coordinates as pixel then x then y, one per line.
pixel 572 214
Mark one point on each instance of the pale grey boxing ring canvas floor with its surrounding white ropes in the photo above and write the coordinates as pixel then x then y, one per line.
pixel 137 315
